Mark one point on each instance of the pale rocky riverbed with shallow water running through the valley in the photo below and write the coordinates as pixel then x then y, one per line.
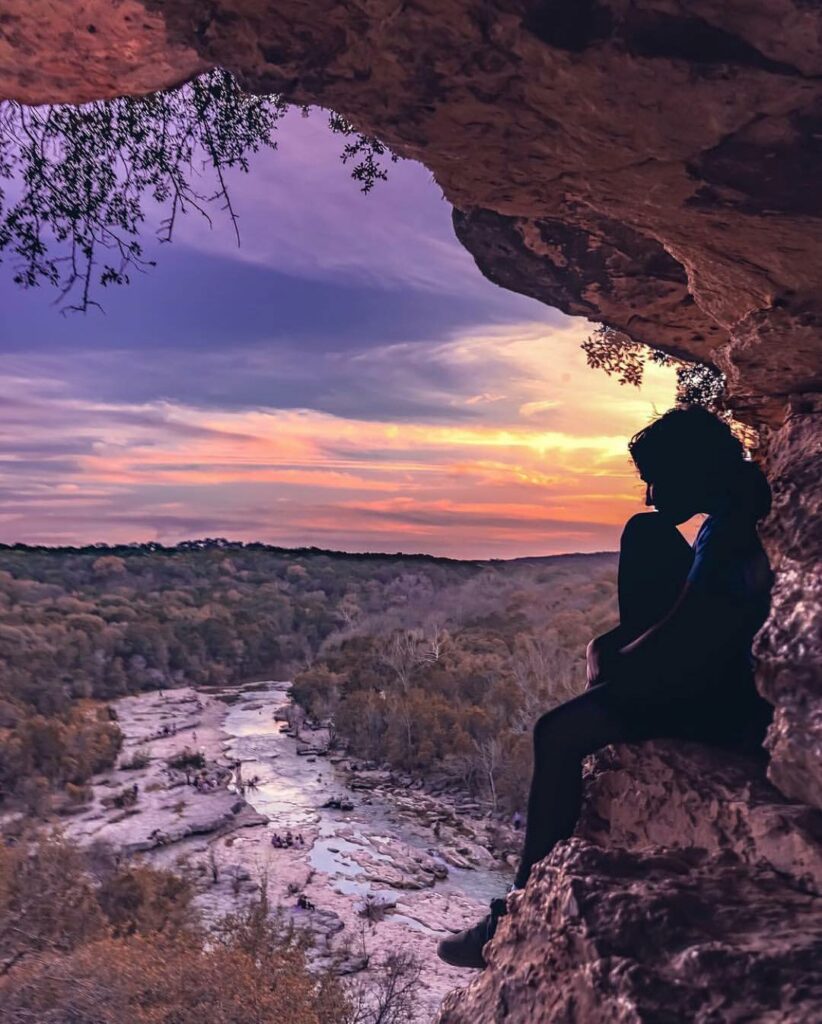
pixel 425 862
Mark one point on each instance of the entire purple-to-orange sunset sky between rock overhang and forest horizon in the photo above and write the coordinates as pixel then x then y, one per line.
pixel 345 379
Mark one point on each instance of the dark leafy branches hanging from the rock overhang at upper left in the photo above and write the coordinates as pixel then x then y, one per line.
pixel 80 178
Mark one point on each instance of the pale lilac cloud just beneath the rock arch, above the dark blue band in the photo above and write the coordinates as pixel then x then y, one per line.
pixel 300 211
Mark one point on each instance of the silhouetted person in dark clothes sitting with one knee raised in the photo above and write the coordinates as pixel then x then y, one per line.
pixel 680 664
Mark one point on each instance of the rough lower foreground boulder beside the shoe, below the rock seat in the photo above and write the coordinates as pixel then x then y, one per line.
pixel 659 937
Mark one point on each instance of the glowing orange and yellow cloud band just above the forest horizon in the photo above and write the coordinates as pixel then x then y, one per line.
pixel 478 477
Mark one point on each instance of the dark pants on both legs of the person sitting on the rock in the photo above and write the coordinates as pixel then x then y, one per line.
pixel 655 561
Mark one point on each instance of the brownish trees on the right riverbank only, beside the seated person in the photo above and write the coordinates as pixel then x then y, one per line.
pixel 450 690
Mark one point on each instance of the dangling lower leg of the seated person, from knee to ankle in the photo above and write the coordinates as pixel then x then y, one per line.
pixel 561 739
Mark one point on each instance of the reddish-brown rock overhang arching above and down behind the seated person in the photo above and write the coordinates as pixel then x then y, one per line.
pixel 650 165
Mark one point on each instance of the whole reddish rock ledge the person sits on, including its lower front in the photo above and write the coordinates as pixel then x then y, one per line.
pixel 691 893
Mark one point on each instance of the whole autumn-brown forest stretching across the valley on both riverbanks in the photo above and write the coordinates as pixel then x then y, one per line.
pixel 406 653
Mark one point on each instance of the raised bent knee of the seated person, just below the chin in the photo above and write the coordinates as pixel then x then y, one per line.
pixel 655 561
